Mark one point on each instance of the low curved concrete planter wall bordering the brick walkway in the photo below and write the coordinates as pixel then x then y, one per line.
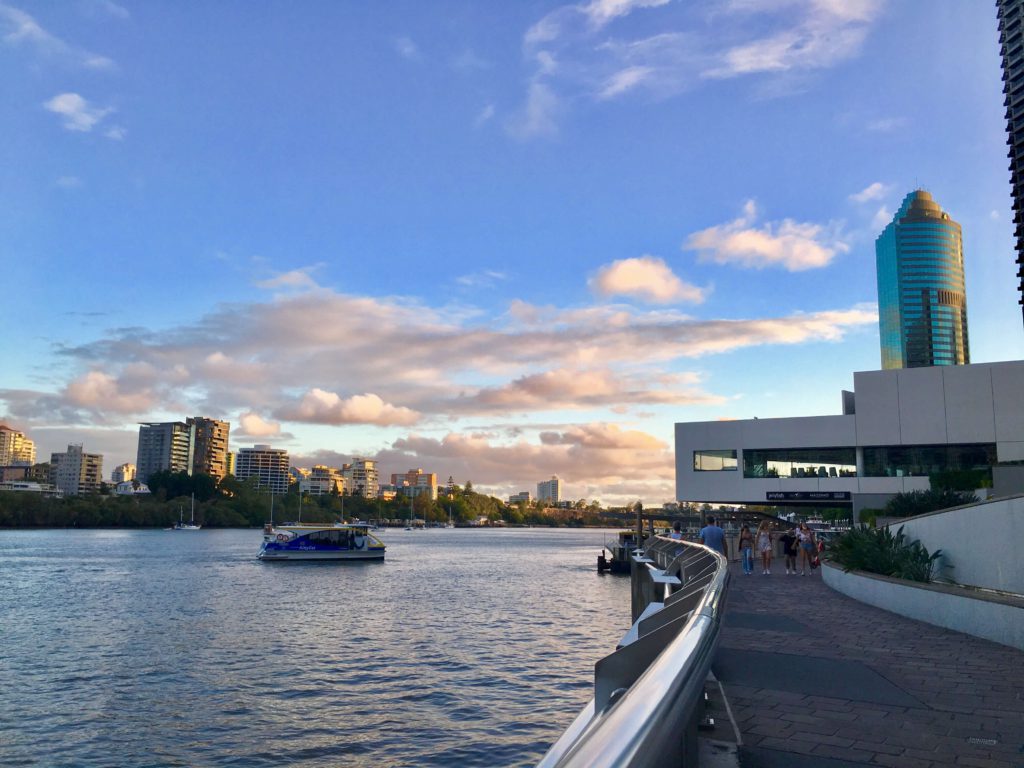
pixel 993 617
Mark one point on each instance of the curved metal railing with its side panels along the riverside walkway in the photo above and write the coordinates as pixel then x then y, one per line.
pixel 649 696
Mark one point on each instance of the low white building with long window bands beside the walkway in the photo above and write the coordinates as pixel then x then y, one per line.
pixel 899 429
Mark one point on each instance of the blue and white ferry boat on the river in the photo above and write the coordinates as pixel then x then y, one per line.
pixel 320 542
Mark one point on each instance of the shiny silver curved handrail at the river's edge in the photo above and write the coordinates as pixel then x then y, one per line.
pixel 653 722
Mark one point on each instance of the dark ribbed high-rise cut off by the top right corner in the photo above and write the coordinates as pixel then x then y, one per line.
pixel 1011 20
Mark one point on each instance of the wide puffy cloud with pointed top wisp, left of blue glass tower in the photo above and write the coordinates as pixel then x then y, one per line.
pixel 789 244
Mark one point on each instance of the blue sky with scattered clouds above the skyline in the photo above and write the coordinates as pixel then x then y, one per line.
pixel 494 241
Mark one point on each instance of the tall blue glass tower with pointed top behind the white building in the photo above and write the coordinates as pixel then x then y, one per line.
pixel 922 294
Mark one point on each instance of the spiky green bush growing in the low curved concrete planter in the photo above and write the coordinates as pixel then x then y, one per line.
pixel 881 551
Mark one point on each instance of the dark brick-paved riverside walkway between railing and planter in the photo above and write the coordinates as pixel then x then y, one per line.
pixel 818 679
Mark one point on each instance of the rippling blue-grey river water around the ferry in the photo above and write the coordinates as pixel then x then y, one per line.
pixel 466 648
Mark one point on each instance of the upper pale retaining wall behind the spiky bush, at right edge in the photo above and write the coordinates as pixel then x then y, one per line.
pixel 983 545
